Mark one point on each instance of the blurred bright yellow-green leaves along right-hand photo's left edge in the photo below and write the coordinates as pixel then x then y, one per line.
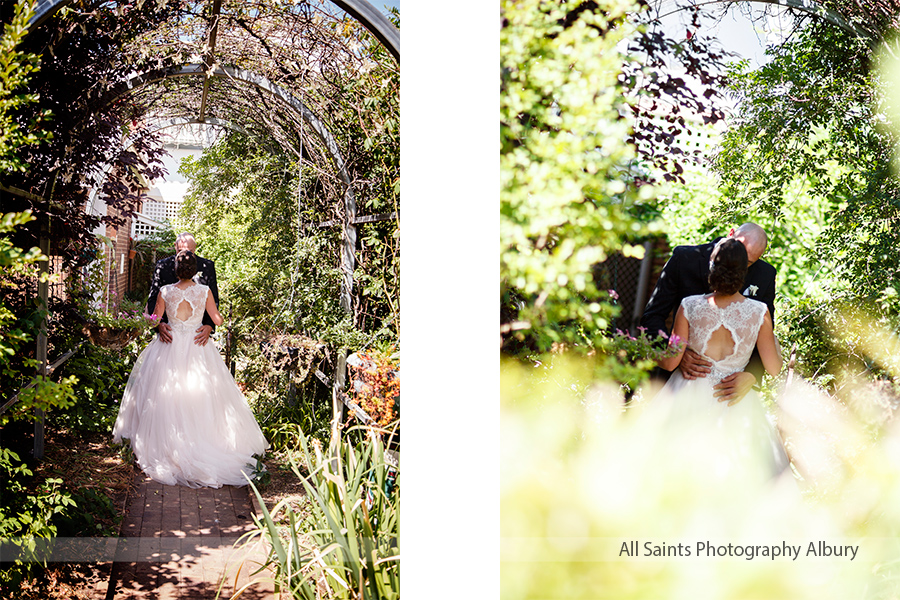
pixel 565 190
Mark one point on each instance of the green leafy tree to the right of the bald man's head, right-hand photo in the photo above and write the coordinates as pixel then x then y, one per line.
pixel 806 152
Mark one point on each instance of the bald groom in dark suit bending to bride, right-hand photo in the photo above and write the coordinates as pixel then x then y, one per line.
pixel 686 274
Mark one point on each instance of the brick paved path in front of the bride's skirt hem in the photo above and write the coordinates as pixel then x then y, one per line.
pixel 177 542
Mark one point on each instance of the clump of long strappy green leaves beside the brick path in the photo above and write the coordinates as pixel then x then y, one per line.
pixel 350 541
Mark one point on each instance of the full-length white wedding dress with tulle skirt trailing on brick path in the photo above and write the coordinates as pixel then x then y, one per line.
pixel 187 421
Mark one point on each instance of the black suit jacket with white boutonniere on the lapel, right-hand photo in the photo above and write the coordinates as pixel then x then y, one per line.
pixel 687 273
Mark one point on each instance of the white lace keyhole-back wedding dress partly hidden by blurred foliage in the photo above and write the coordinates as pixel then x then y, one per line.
pixel 742 432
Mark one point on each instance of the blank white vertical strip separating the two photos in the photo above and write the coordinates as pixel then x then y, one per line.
pixel 449 288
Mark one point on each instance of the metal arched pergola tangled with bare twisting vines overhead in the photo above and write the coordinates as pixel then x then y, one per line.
pixel 259 74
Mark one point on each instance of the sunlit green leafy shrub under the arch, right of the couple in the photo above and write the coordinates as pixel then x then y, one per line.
pixel 242 207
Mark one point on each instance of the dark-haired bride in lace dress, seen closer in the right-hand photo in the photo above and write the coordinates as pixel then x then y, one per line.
pixel 724 327
